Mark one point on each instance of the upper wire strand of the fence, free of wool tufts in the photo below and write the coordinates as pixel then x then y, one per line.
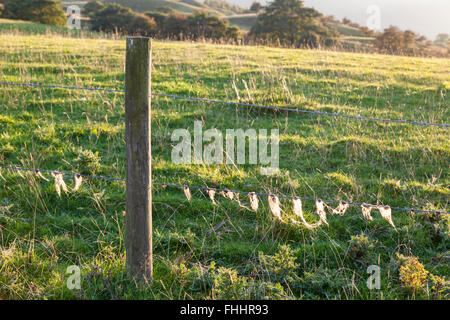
pixel 315 112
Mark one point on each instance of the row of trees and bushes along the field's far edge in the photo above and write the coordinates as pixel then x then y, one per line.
pixel 280 23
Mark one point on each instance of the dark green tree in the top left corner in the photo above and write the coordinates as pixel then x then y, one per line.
pixel 41 11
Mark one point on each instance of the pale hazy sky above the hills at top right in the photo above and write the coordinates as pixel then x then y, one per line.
pixel 427 17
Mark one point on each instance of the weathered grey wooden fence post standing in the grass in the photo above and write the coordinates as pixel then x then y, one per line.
pixel 138 229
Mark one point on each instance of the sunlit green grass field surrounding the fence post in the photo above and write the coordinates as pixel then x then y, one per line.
pixel 252 255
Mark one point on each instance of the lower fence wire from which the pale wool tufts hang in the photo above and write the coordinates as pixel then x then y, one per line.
pixel 180 186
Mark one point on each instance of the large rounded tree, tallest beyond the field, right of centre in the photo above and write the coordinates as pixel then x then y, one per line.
pixel 290 23
